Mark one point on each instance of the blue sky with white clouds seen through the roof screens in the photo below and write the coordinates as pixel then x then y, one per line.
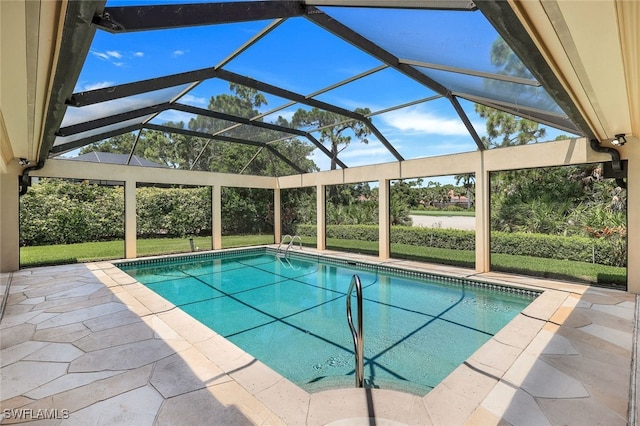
pixel 301 57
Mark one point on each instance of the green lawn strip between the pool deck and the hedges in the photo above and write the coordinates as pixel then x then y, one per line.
pixel 551 268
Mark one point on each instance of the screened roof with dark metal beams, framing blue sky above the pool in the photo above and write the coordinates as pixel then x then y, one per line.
pixel 286 87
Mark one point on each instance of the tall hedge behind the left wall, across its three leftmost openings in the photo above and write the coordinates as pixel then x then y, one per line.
pixel 62 212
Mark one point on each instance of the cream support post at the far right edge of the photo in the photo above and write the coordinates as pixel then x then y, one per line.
pixel 633 222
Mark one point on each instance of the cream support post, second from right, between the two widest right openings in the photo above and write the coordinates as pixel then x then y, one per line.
pixel 483 217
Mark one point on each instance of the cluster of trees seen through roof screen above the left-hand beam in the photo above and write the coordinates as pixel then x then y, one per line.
pixel 181 151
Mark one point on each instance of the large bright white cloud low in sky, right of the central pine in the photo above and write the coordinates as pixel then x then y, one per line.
pixel 416 120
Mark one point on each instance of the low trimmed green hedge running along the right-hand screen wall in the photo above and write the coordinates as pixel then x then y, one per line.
pixel 603 251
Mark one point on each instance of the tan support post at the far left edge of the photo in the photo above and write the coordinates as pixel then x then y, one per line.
pixel 9 221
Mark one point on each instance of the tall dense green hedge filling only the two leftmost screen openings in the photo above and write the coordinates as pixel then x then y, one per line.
pixel 60 212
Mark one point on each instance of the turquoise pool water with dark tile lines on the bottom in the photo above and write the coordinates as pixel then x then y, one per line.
pixel 291 315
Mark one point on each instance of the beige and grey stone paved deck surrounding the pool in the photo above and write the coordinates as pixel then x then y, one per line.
pixel 87 344
